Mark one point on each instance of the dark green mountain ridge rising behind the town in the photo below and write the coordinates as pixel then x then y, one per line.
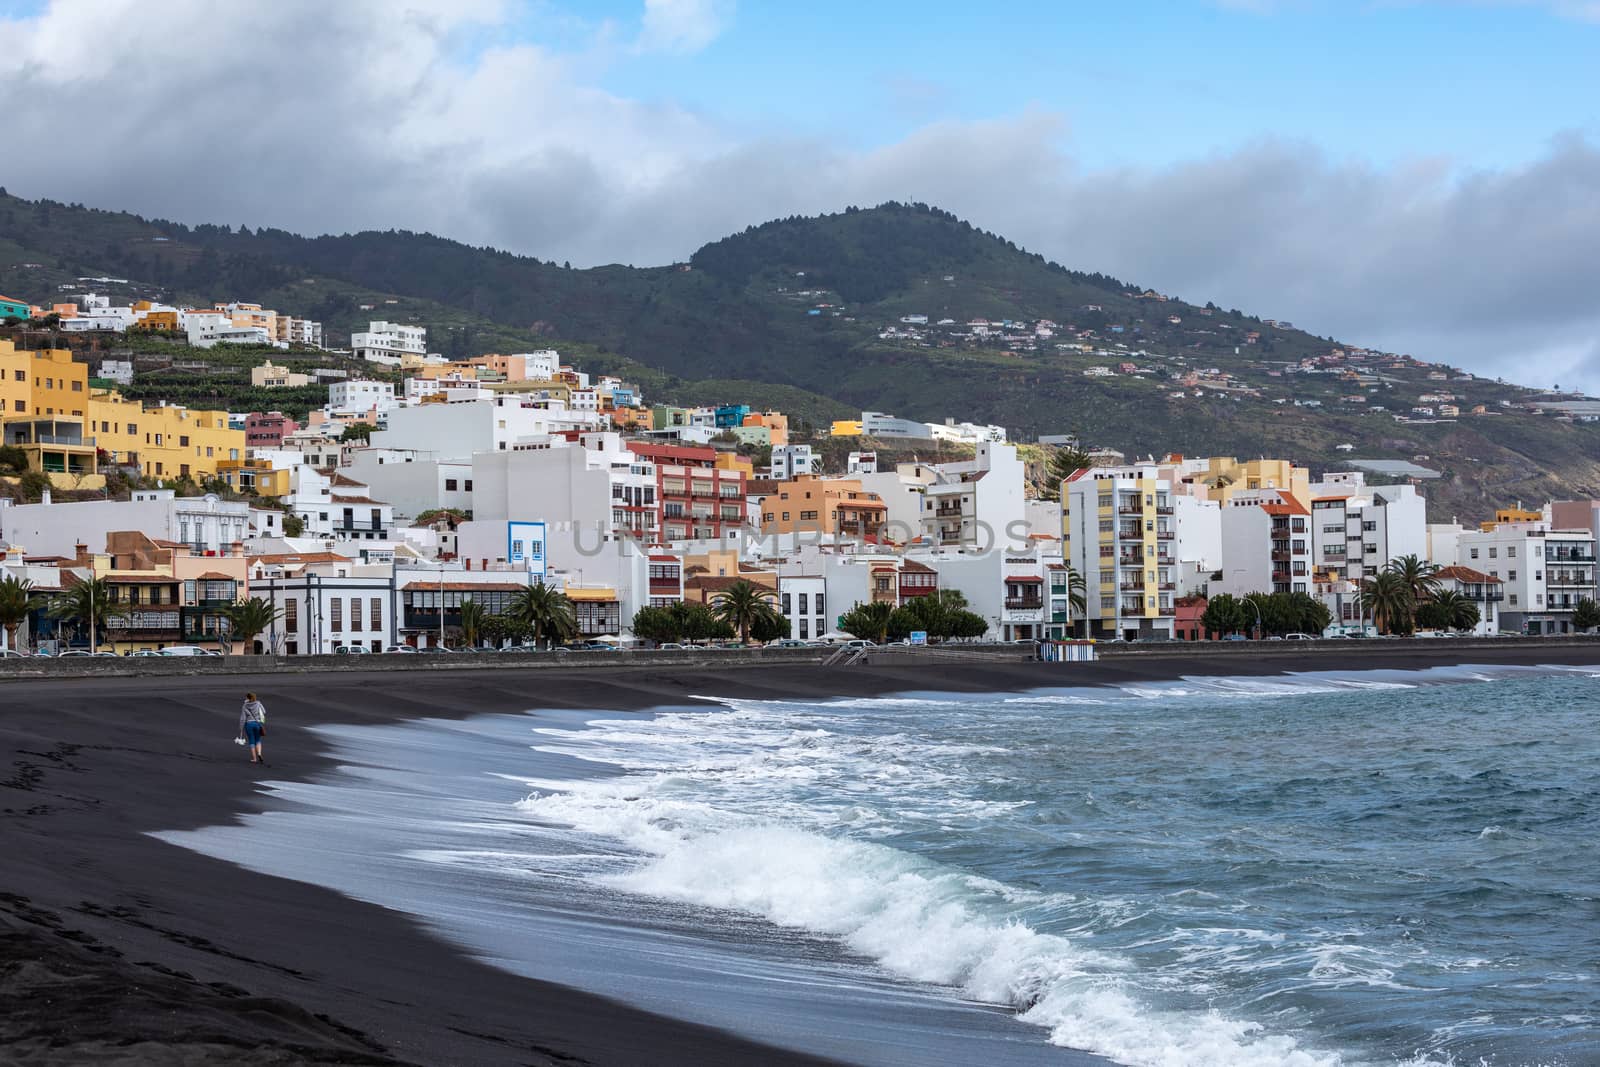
pixel 807 314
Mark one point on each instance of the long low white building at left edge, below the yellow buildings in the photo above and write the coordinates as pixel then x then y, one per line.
pixel 207 524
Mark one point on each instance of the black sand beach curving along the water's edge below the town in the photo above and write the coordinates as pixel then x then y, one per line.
pixel 118 948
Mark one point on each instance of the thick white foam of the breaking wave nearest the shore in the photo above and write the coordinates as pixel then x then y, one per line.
pixel 918 921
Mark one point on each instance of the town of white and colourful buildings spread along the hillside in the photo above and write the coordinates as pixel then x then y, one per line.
pixel 428 505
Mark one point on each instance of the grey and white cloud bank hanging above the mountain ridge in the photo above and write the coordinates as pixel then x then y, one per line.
pixel 362 116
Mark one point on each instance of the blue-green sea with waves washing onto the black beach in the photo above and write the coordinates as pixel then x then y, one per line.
pixel 1321 869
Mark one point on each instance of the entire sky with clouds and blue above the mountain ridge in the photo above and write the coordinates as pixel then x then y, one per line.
pixel 1422 177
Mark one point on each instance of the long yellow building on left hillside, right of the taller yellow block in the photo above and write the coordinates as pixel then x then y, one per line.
pixel 162 441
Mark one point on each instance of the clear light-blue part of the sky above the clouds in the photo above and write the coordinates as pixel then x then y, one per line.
pixel 1151 82
